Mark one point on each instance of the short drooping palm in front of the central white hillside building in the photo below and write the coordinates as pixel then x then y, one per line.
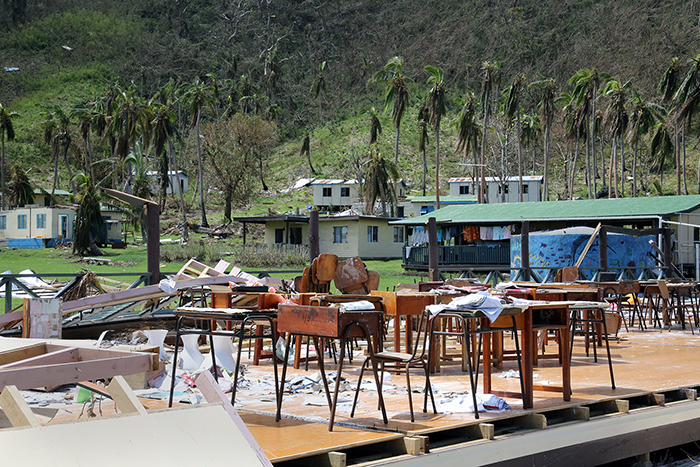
pixel 379 176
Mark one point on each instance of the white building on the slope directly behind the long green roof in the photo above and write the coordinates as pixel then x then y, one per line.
pixel 500 190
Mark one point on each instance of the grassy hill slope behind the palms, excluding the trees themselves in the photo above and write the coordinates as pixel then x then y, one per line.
pixel 69 52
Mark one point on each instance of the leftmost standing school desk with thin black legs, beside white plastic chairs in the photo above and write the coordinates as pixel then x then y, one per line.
pixel 209 315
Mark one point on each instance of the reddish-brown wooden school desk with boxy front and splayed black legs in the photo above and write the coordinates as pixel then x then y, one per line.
pixel 329 322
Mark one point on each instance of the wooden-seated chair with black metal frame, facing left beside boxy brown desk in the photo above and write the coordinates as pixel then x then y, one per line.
pixel 404 362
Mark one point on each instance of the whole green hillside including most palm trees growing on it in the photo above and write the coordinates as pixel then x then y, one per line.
pixel 305 66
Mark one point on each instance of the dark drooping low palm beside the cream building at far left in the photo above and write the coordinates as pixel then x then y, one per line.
pixel 88 217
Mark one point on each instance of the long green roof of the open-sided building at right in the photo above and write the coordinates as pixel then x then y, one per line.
pixel 592 209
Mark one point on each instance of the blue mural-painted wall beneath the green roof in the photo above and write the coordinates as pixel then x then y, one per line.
pixel 563 250
